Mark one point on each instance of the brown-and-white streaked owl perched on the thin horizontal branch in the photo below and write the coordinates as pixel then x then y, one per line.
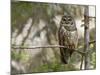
pixel 68 36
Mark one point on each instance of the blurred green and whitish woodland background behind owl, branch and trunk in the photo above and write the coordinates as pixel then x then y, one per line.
pixel 36 24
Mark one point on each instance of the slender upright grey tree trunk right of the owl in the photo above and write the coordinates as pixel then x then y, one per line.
pixel 86 38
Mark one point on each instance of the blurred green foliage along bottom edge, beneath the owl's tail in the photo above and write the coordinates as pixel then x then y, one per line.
pixel 55 67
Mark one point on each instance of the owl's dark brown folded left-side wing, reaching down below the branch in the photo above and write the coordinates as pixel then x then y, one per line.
pixel 65 54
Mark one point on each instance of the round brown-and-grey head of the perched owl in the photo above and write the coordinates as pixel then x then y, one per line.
pixel 68 23
